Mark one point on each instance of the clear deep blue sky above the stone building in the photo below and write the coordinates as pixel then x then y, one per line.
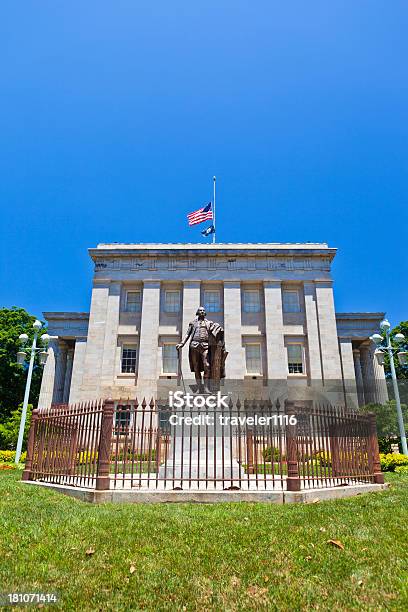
pixel 114 116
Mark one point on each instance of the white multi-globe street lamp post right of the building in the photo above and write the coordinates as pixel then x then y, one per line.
pixel 403 359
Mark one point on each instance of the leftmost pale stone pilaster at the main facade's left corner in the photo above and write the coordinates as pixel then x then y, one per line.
pixel 95 342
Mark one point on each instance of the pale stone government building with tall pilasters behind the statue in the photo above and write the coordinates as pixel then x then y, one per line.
pixel 275 302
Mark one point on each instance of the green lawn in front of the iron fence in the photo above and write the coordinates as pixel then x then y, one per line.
pixel 206 557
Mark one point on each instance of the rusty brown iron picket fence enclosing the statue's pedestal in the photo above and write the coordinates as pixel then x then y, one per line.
pixel 252 445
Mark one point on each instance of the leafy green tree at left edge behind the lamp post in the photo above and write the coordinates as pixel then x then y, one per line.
pixel 13 322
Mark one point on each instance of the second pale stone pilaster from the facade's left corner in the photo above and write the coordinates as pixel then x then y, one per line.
pixel 108 372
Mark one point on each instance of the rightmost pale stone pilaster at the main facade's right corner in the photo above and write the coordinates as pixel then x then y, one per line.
pixel 328 332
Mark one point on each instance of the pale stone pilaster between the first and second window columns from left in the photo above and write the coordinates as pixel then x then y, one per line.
pixel 149 333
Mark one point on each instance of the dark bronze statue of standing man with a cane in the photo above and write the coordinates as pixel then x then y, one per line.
pixel 206 351
